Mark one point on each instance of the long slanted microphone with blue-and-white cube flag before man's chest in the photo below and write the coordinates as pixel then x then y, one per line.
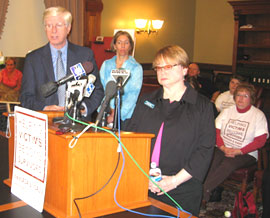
pixel 78 70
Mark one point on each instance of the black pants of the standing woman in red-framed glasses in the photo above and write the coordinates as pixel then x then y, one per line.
pixel 188 195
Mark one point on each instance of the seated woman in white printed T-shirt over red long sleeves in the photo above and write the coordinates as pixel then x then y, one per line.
pixel 240 130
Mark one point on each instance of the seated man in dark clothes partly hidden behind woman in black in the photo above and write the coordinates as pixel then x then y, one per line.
pixel 207 88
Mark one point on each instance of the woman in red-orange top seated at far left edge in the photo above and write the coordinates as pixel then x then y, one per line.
pixel 10 76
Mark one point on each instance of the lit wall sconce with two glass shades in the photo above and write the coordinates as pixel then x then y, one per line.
pixel 148 26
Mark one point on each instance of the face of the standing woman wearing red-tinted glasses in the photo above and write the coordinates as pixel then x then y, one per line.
pixel 170 73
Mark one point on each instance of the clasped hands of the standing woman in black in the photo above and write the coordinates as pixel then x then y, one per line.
pixel 167 183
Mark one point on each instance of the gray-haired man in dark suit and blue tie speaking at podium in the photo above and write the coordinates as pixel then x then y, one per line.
pixel 41 65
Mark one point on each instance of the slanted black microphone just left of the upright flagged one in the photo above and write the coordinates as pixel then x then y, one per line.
pixel 110 91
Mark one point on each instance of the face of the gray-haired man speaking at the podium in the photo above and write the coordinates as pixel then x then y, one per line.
pixel 57 31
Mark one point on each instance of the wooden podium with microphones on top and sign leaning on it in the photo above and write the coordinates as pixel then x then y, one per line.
pixel 81 171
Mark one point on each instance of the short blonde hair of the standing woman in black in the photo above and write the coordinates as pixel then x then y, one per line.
pixel 172 53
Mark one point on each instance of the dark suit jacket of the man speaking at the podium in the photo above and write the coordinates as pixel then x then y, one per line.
pixel 38 70
